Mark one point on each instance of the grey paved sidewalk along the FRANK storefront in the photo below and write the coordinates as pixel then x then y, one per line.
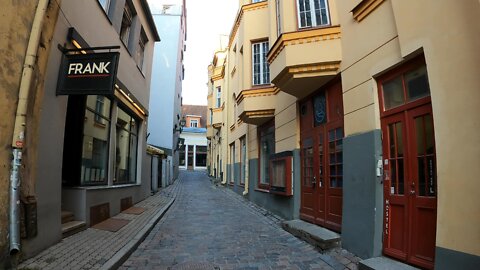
pixel 93 248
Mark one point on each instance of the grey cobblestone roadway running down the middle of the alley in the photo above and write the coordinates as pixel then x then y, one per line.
pixel 211 227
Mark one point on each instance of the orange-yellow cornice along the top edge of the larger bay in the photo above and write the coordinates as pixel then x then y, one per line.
pixel 301 37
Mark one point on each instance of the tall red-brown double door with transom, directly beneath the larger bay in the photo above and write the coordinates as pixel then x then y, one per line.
pixel 322 158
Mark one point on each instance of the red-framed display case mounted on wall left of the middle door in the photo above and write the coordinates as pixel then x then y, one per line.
pixel 281 173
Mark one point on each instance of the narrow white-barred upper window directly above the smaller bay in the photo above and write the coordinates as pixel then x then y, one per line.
pixel 260 48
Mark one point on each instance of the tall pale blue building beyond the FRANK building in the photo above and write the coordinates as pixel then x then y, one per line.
pixel 166 84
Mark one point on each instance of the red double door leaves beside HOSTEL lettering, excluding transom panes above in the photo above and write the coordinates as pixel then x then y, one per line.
pixel 410 186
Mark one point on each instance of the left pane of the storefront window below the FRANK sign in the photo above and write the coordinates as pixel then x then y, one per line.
pixel 95 141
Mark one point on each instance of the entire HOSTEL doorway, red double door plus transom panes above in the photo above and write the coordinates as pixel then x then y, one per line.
pixel 409 160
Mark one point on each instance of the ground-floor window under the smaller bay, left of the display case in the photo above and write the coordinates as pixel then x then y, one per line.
pixel 266 136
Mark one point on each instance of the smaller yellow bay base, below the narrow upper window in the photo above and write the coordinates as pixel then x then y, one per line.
pixel 257 106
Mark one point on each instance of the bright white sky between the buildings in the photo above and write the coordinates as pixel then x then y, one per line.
pixel 207 20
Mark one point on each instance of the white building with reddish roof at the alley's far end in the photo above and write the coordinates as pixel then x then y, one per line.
pixel 193 153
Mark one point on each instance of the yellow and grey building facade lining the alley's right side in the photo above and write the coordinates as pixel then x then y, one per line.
pixel 358 116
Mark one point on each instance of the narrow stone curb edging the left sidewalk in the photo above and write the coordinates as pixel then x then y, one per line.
pixel 122 255
